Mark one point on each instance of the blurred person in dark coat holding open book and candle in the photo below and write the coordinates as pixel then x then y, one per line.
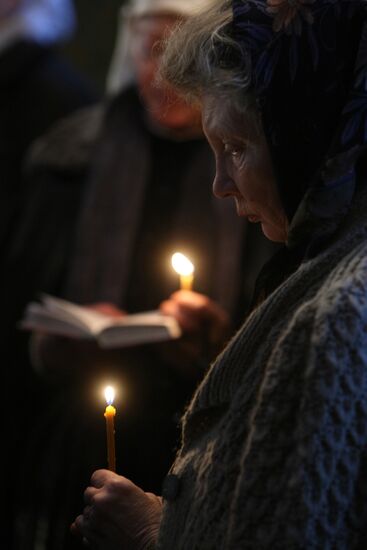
pixel 112 188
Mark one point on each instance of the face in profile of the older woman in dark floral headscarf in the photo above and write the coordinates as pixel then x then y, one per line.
pixel 243 167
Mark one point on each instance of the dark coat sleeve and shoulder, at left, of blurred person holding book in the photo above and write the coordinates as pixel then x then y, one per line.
pixel 39 243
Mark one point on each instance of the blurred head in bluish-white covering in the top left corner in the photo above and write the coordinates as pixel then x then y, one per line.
pixel 45 22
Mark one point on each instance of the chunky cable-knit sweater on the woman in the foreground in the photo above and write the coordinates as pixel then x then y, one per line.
pixel 274 451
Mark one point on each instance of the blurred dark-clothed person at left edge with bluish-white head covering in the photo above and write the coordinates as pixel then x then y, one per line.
pixel 37 88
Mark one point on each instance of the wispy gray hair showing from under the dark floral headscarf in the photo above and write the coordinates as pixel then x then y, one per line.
pixel 200 59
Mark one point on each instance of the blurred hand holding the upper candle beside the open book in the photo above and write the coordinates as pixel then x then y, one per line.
pixel 206 326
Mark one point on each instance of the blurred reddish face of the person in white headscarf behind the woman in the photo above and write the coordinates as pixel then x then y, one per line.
pixel 164 106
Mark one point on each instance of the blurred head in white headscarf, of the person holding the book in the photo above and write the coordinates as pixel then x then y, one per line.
pixel 144 26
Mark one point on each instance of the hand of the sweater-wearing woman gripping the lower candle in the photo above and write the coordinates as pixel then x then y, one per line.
pixel 118 514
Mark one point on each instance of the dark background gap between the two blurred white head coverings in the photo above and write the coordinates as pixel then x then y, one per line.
pixel 91 47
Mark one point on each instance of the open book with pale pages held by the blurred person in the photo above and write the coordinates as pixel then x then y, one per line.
pixel 63 318
